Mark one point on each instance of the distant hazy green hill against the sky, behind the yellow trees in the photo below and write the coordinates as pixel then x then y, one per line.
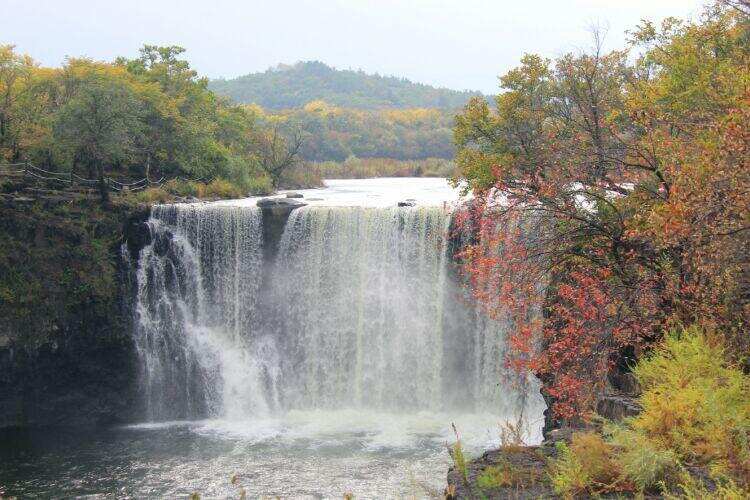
pixel 293 86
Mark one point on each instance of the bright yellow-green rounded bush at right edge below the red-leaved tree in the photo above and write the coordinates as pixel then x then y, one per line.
pixel 695 403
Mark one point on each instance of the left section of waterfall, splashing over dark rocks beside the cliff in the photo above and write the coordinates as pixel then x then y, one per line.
pixel 196 310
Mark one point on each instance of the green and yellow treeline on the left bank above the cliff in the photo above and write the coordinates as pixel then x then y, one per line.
pixel 148 116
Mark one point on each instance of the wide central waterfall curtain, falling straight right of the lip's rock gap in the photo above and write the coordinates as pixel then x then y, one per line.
pixel 363 309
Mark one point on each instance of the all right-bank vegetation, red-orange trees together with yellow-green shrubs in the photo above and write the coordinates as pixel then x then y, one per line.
pixel 638 169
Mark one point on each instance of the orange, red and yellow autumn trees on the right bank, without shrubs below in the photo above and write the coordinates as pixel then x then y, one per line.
pixel 635 164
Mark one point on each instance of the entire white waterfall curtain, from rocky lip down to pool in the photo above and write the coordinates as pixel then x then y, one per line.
pixel 360 308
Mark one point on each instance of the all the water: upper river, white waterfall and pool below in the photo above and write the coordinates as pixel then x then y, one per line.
pixel 336 366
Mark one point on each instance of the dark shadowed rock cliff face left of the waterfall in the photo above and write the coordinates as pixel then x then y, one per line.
pixel 66 353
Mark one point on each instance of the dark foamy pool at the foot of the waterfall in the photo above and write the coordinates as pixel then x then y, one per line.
pixel 315 454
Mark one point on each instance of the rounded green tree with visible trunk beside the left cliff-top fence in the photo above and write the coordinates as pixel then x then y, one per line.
pixel 100 123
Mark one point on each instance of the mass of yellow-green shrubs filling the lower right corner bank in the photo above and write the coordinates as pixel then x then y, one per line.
pixel 695 413
